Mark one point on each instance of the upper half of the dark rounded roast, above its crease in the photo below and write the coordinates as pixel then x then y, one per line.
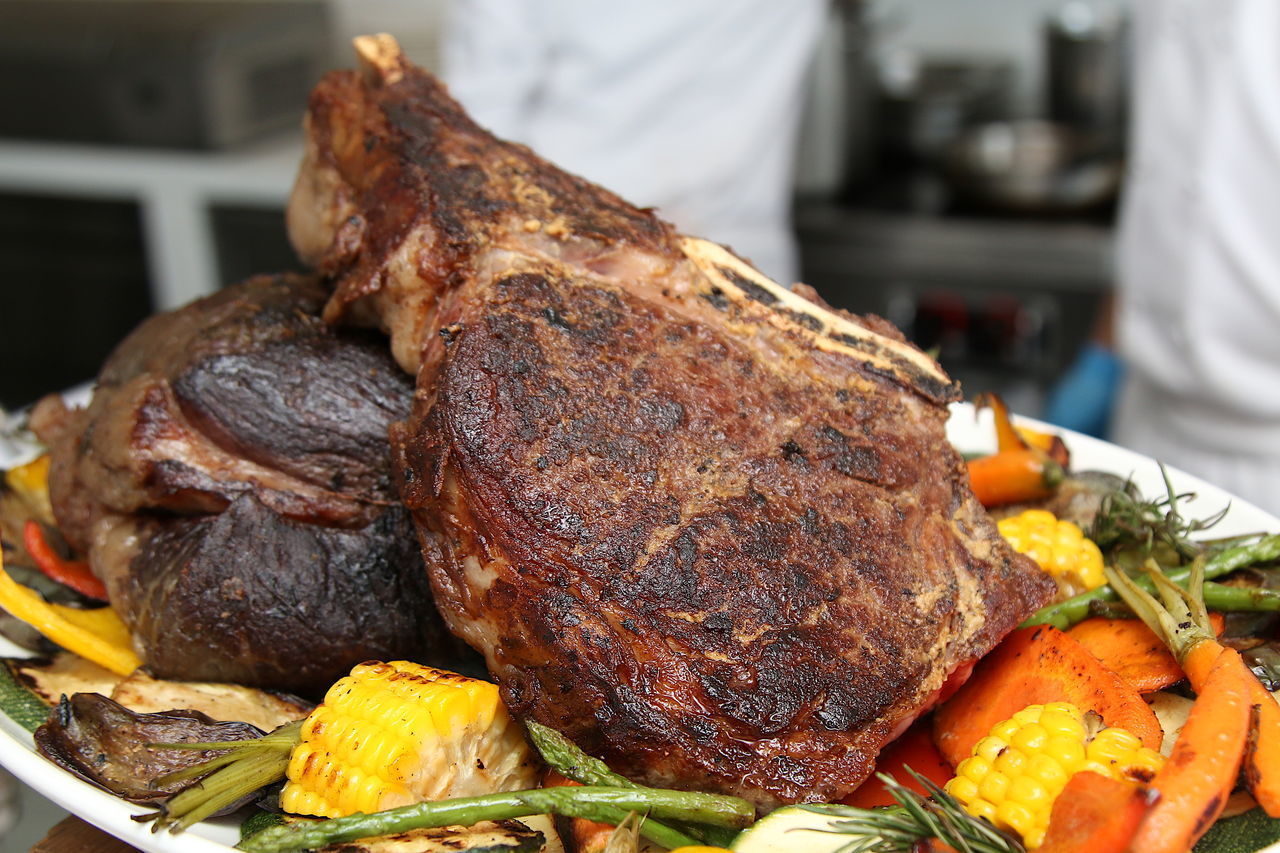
pixel 245 391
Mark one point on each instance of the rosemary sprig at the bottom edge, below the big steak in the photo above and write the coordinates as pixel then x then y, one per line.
pixel 916 819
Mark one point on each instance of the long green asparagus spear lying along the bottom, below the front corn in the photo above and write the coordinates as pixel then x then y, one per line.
pixel 597 804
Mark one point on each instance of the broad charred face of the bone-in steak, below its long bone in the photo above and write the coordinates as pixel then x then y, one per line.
pixel 692 563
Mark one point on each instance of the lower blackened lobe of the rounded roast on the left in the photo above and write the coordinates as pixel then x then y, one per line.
pixel 253 597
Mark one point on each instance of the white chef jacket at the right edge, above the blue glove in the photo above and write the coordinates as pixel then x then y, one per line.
pixel 1200 244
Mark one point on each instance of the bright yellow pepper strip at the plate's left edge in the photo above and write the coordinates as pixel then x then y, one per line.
pixel 97 636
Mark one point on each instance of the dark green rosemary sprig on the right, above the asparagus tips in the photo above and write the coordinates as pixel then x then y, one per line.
pixel 1126 522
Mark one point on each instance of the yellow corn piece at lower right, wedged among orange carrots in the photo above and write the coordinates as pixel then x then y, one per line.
pixel 1014 774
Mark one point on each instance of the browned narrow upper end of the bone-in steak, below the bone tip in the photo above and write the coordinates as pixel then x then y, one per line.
pixel 405 156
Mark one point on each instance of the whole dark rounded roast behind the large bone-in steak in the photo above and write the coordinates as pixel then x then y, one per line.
pixel 231 485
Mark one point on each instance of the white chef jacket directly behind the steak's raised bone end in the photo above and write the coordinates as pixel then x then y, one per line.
pixel 689 107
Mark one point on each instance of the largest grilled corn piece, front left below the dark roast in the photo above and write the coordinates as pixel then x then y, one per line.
pixel 394 735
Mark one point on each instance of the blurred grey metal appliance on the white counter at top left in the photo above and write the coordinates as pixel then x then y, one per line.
pixel 194 75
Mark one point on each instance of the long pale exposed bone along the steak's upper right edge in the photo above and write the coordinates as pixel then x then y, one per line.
pixel 831 332
